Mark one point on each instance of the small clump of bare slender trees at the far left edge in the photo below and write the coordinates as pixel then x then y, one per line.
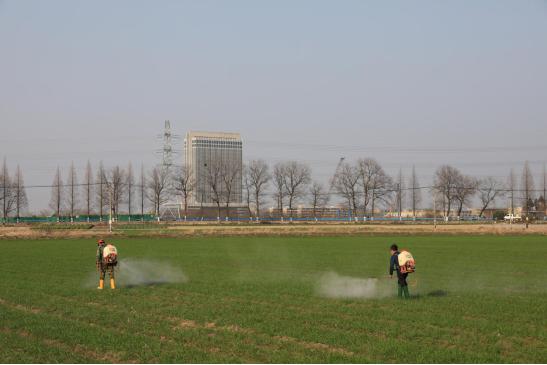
pixel 13 196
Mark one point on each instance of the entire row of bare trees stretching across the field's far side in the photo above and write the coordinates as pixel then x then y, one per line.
pixel 364 186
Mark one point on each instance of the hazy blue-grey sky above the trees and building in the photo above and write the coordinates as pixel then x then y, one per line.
pixel 419 83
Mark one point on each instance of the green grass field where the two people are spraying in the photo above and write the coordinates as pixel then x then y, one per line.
pixel 258 299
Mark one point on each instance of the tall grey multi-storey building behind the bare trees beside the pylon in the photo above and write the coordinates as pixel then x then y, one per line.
pixel 216 163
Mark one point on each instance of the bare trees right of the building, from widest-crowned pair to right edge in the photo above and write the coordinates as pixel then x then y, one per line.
pixel 364 185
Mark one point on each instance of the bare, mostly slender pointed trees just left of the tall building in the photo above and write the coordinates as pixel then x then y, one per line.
pixel 108 189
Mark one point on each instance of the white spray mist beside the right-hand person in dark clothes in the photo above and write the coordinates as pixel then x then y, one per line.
pixel 332 285
